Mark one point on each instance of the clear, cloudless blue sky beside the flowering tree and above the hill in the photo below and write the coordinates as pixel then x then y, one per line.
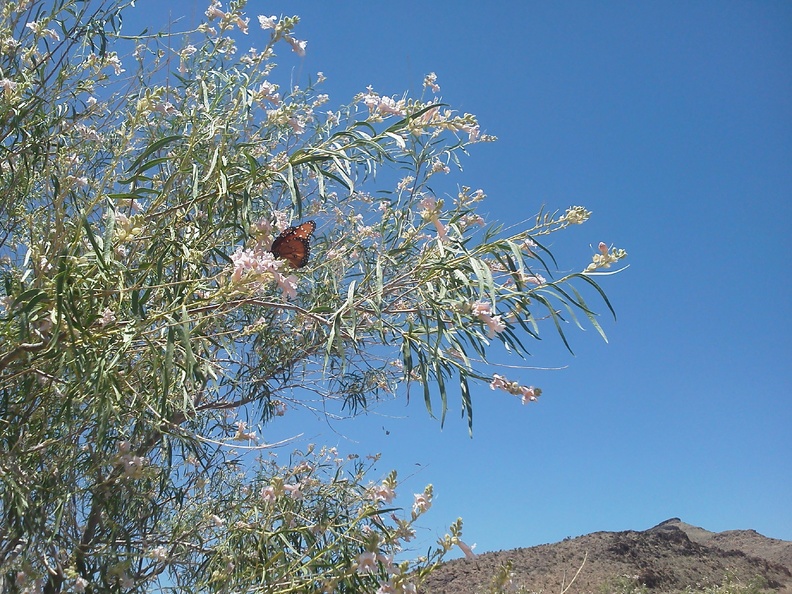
pixel 672 122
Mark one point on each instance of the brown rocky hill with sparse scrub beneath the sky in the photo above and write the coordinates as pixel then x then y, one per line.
pixel 667 558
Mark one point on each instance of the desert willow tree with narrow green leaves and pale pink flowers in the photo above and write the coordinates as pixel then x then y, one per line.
pixel 147 326
